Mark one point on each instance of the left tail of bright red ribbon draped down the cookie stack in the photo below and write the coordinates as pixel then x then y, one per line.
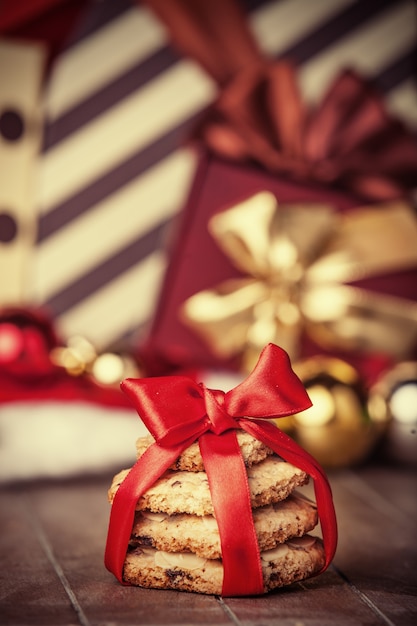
pixel 146 471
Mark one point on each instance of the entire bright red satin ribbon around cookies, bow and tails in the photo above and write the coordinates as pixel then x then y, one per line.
pixel 178 411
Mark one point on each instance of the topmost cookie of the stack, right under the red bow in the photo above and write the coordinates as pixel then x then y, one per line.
pixel 253 451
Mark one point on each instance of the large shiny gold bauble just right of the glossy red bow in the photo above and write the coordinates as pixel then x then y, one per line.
pixel 337 430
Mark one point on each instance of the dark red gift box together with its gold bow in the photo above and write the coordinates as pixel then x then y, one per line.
pixel 200 265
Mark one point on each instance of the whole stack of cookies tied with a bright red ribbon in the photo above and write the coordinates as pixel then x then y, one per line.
pixel 178 413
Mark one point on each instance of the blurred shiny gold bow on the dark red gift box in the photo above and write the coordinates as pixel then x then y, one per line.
pixel 296 262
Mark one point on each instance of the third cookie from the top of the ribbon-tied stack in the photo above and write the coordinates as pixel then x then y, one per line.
pixel 274 524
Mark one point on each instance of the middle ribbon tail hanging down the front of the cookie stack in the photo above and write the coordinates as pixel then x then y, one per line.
pixel 233 512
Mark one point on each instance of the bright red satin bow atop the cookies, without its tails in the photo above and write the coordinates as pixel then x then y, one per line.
pixel 174 408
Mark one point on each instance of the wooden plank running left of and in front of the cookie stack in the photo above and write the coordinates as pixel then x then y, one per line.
pixel 74 517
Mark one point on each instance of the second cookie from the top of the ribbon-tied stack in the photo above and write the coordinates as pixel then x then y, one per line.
pixel 270 481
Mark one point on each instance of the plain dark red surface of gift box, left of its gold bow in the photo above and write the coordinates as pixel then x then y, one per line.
pixel 196 261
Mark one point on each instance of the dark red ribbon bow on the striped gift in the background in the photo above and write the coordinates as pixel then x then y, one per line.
pixel 349 141
